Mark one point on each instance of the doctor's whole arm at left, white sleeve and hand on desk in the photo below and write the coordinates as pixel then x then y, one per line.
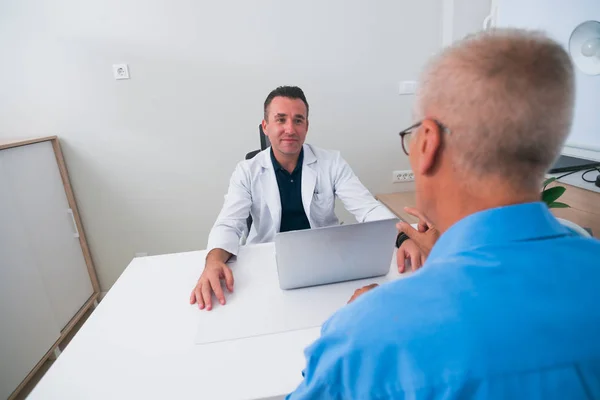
pixel 223 242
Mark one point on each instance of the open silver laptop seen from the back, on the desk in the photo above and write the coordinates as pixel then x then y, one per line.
pixel 334 254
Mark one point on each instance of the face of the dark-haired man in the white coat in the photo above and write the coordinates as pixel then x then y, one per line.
pixel 287 125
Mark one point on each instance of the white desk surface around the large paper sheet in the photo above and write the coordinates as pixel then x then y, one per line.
pixel 139 342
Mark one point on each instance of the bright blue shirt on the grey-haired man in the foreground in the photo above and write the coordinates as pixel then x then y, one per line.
pixel 507 306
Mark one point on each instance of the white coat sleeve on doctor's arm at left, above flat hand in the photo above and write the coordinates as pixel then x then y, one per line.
pixel 231 223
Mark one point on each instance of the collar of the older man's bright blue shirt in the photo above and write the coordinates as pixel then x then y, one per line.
pixel 496 226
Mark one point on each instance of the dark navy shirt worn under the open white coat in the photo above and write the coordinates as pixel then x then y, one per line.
pixel 293 216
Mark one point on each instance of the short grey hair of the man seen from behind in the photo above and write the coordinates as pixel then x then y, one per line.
pixel 507 97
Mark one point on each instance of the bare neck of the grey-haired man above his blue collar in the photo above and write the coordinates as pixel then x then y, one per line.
pixel 455 205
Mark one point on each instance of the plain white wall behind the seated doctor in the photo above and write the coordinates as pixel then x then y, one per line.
pixel 150 157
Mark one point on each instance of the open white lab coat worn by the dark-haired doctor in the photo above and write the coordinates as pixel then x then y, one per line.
pixel 253 190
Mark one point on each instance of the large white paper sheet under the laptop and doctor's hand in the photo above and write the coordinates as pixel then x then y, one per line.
pixel 259 307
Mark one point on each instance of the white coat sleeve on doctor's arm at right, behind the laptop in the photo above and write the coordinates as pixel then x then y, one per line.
pixel 356 197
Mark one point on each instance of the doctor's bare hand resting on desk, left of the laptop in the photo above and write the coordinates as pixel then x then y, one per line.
pixel 210 280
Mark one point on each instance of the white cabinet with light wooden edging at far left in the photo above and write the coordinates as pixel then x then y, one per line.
pixel 46 275
